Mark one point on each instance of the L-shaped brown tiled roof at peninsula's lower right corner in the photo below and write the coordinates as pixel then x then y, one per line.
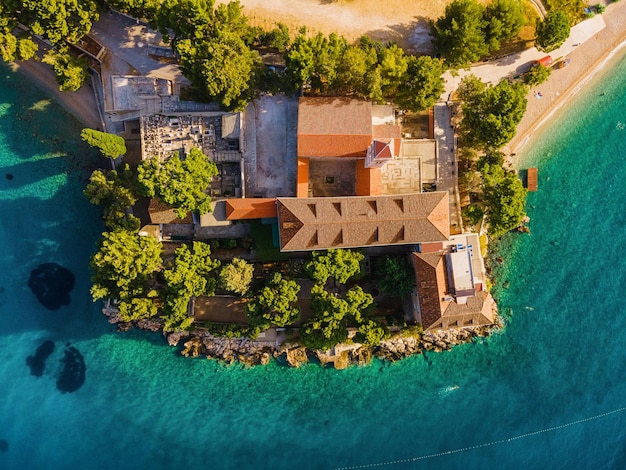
pixel 438 309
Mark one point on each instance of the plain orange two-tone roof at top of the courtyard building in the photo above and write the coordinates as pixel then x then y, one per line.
pixel 334 127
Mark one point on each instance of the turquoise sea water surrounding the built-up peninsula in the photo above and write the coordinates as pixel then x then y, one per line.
pixel 548 391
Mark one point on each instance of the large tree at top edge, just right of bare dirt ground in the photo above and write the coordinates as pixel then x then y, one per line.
pixel 459 34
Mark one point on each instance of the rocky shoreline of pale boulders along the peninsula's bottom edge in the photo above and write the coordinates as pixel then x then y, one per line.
pixel 250 352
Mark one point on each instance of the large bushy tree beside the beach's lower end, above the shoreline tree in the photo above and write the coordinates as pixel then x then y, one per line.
pixel 490 116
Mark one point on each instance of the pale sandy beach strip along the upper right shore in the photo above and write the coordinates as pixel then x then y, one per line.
pixel 587 59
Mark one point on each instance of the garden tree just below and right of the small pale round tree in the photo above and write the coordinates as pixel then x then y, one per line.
pixel 275 303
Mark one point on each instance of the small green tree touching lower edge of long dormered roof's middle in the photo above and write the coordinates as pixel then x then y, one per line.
pixel 340 264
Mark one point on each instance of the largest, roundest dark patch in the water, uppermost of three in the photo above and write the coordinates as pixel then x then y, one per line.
pixel 51 284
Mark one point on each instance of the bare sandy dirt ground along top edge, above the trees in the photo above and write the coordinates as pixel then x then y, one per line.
pixel 405 21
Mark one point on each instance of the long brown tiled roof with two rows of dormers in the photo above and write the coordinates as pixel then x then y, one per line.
pixel 348 222
